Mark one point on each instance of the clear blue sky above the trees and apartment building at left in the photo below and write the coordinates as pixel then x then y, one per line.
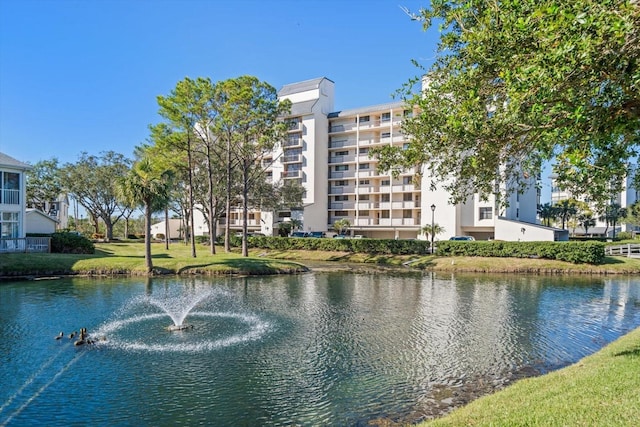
pixel 84 75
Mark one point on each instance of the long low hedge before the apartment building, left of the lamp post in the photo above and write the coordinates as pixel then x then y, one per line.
pixel 372 246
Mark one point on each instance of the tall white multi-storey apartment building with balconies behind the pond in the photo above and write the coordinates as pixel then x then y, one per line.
pixel 327 152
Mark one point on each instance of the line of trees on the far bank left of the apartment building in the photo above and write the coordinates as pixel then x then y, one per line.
pixel 210 151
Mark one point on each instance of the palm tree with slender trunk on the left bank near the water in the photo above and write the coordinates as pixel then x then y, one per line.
pixel 146 185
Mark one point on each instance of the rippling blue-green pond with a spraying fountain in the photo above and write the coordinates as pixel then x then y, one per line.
pixel 314 349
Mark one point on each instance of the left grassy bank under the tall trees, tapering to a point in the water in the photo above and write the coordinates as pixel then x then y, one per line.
pixel 128 258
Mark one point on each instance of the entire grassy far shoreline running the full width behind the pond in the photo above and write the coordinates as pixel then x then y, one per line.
pixel 127 258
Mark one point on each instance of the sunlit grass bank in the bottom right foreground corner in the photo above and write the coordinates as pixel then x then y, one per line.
pixel 600 390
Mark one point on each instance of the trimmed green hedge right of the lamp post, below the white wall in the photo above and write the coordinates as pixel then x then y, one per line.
pixel 575 252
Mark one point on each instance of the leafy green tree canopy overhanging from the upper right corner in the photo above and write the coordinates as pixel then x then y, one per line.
pixel 516 83
